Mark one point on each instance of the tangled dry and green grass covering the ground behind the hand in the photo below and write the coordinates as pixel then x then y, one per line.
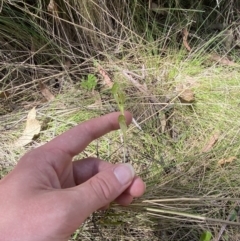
pixel 187 149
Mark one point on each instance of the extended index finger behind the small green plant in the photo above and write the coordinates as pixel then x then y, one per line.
pixel 75 140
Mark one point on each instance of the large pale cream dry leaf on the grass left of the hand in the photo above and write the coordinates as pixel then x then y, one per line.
pixel 32 128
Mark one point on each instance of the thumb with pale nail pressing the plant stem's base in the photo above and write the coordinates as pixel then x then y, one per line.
pixel 102 189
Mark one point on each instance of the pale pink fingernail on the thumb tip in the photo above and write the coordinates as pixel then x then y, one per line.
pixel 124 173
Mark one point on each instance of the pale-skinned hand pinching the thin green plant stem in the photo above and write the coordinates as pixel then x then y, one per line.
pixel 48 196
